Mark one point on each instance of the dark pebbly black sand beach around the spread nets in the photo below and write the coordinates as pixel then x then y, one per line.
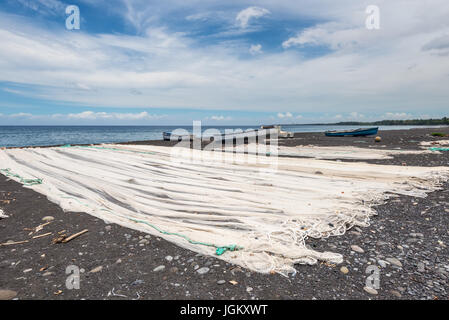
pixel 408 240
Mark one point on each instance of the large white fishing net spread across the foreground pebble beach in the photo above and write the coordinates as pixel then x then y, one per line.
pixel 267 207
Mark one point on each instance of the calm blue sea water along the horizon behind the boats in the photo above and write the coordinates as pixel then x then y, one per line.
pixel 20 136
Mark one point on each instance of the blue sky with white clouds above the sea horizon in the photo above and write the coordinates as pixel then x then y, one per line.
pixel 222 62
